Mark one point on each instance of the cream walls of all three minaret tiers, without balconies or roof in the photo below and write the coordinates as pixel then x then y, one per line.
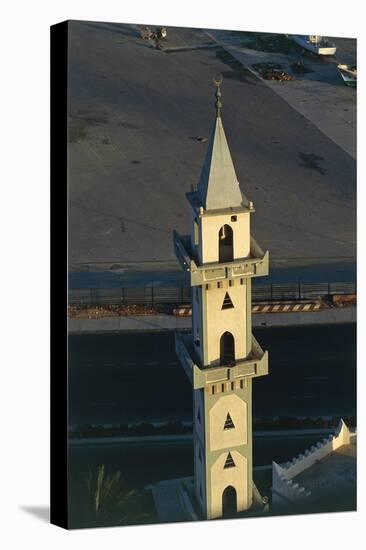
pixel 212 442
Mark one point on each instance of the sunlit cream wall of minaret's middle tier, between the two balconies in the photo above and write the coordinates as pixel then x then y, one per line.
pixel 219 320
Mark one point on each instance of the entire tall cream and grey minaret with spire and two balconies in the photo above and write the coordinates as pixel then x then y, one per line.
pixel 220 355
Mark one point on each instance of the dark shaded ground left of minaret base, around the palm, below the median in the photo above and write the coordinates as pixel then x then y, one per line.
pixel 139 465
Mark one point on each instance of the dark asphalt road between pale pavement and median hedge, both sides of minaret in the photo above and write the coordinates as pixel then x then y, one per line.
pixel 136 377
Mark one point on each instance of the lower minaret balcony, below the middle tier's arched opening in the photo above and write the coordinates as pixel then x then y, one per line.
pixel 256 364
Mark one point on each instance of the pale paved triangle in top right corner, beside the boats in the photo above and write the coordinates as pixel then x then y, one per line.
pixel 320 94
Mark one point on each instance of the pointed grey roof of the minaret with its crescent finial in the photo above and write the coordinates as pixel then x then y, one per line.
pixel 218 185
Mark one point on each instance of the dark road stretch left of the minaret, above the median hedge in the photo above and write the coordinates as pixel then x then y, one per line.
pixel 126 378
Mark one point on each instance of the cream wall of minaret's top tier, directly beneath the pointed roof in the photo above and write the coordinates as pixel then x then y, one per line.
pixel 209 236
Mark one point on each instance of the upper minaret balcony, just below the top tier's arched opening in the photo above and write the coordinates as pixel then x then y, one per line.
pixel 255 265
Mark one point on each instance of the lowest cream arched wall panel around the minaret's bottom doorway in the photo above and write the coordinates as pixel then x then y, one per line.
pixel 221 478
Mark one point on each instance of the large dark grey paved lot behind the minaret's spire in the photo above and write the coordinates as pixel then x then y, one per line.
pixel 135 114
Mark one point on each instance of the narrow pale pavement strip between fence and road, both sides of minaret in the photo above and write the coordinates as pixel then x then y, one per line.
pixel 169 322
